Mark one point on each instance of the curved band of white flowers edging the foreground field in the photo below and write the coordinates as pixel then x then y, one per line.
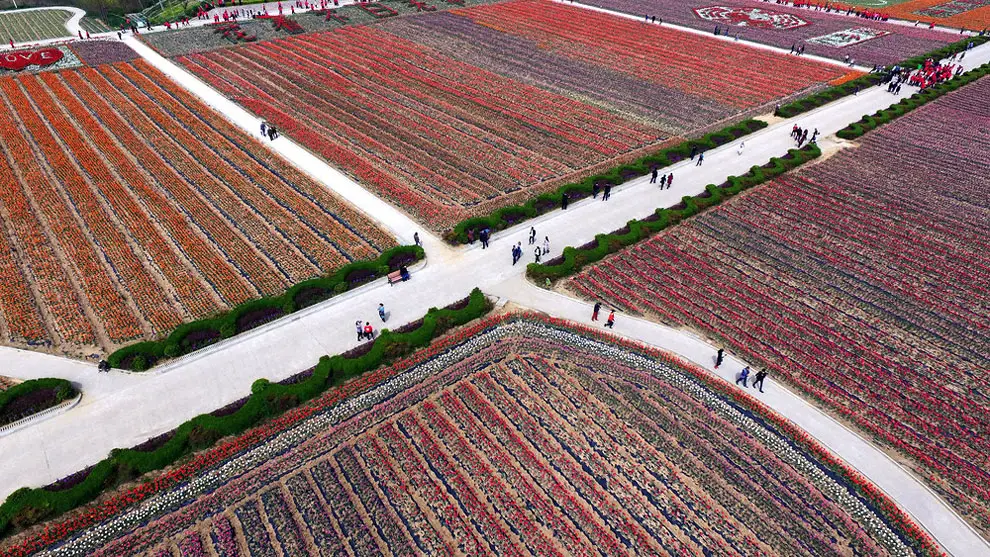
pixel 173 499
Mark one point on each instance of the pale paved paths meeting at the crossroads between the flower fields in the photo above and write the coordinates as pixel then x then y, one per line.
pixel 134 407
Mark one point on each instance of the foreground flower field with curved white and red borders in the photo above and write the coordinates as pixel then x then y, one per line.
pixel 520 436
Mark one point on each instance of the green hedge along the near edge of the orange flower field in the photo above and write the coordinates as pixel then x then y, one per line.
pixel 189 337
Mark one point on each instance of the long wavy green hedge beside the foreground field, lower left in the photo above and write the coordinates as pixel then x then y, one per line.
pixel 28 506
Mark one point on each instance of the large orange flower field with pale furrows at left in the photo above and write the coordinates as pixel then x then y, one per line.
pixel 129 208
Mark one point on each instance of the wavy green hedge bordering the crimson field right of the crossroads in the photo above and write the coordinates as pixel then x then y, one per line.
pixel 574 259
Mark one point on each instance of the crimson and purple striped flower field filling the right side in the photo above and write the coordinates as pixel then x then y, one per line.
pixel 863 285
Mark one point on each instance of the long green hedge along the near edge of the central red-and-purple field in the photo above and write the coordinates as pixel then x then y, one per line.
pixel 506 217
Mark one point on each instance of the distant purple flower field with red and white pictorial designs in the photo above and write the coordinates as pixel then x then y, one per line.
pixel 773 24
